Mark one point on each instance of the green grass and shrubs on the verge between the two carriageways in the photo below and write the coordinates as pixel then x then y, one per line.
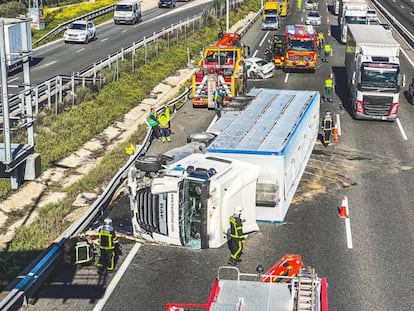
pixel 58 136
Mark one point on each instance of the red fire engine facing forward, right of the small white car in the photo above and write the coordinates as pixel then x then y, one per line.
pixel 301 47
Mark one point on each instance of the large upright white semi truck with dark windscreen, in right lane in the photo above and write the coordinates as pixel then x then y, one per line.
pixel 373 72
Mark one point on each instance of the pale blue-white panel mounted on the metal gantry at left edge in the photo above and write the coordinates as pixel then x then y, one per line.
pixel 18 41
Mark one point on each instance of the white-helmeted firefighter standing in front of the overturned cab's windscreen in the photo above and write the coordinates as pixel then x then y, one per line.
pixel 235 237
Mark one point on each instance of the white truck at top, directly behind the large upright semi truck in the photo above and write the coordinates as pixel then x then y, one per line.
pixel 351 12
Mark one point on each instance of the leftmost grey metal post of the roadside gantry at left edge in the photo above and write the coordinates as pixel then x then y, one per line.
pixel 5 97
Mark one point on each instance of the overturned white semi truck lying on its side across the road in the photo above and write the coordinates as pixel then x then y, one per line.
pixel 254 158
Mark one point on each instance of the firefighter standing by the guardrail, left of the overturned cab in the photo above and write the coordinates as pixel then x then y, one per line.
pixel 107 244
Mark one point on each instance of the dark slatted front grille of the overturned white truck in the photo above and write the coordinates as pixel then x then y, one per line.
pixel 148 210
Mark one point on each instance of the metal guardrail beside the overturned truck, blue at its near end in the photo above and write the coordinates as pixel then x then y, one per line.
pixel 33 279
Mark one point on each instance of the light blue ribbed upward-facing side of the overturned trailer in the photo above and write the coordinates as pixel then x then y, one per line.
pixel 267 124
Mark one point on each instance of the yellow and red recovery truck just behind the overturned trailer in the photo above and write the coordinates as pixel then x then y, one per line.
pixel 222 66
